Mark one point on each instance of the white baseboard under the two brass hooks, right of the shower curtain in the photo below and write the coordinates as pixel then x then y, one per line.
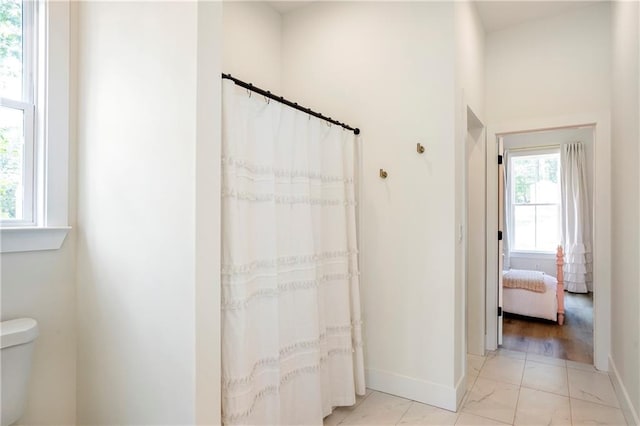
pixel 416 390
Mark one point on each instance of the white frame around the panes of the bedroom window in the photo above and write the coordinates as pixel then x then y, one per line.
pixel 530 152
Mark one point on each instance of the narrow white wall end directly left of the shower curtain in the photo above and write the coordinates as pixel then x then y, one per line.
pixel 207 208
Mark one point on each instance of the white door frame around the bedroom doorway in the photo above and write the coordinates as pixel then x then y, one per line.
pixel 601 223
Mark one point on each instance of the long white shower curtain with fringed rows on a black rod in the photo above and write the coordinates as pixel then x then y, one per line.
pixel 291 329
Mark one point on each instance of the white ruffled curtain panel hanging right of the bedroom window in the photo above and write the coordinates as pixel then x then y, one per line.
pixel 576 219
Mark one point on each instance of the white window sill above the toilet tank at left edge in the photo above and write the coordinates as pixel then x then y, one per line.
pixel 14 240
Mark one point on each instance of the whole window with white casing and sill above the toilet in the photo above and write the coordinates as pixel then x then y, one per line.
pixel 34 129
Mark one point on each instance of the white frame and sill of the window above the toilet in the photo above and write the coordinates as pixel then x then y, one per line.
pixel 48 226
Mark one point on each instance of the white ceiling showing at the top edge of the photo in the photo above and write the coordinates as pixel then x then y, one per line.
pixel 495 15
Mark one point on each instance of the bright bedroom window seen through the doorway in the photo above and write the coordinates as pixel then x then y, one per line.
pixel 535 201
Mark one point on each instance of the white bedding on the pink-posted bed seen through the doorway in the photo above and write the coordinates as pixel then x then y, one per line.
pixel 532 304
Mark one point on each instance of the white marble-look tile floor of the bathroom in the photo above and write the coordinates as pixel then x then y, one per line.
pixel 504 388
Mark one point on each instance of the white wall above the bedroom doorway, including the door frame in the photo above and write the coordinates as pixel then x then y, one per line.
pixel 549 73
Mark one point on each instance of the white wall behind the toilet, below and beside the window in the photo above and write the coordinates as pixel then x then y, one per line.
pixel 41 285
